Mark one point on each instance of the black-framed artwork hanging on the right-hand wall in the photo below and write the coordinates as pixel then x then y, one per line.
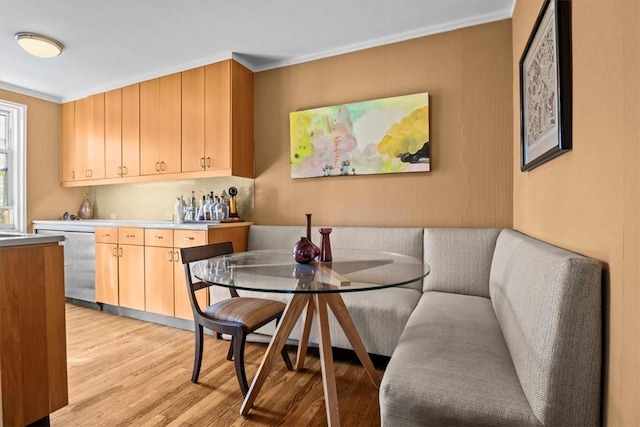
pixel 546 87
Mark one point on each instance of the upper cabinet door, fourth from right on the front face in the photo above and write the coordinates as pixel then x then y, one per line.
pixel 150 127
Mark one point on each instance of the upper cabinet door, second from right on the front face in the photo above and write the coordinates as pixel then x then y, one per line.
pixel 193 159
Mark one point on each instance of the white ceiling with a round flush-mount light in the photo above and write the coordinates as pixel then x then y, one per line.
pixel 110 44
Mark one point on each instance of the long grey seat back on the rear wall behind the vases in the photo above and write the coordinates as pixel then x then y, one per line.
pixel 405 241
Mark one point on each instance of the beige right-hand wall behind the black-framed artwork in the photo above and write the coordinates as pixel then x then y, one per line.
pixel 588 200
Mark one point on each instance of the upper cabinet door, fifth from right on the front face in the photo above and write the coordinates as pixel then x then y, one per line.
pixel 131 130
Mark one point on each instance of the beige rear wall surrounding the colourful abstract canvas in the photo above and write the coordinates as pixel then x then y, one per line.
pixel 468 76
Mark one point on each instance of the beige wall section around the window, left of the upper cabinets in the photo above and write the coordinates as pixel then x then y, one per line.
pixel 45 198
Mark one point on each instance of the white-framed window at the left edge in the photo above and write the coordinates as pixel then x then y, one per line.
pixel 13 167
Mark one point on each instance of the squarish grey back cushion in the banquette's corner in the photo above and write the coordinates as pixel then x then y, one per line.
pixel 460 259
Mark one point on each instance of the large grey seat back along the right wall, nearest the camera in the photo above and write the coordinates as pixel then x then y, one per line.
pixel 548 304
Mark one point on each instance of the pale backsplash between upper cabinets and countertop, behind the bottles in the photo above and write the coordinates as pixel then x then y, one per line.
pixel 155 200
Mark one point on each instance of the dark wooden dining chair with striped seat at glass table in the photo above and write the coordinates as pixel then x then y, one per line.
pixel 236 316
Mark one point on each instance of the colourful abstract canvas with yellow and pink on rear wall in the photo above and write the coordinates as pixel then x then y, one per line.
pixel 389 135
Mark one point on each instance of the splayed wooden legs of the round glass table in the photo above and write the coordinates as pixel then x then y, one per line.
pixel 315 304
